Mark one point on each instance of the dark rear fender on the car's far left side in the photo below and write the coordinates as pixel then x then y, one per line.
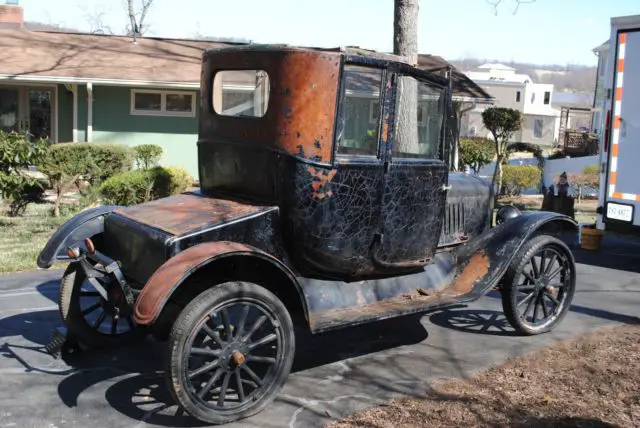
pixel 83 225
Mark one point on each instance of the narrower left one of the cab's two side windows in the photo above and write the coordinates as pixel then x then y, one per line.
pixel 360 111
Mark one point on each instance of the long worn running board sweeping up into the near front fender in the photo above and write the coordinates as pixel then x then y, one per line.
pixel 460 275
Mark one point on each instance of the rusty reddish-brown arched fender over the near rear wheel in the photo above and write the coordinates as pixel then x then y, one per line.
pixel 168 276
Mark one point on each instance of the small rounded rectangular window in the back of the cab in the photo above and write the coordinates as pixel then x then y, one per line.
pixel 241 93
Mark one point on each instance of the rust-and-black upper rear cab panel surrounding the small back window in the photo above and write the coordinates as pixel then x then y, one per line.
pixel 302 101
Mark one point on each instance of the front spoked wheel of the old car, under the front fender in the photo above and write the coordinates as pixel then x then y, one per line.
pixel 551 282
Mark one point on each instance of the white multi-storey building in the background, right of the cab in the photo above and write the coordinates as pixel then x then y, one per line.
pixel 518 91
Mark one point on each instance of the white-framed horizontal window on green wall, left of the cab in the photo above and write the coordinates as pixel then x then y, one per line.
pixel 163 103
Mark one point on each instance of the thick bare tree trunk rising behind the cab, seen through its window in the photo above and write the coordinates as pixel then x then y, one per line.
pixel 405 44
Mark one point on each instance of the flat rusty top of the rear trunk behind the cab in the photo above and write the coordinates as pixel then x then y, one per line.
pixel 184 213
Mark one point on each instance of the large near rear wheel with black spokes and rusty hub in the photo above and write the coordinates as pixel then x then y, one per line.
pixel 229 355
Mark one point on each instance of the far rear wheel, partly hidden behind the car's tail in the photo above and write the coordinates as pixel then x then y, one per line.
pixel 71 311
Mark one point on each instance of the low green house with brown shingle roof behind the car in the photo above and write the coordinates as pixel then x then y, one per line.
pixel 74 87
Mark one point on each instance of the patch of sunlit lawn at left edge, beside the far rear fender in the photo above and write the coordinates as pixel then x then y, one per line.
pixel 22 238
